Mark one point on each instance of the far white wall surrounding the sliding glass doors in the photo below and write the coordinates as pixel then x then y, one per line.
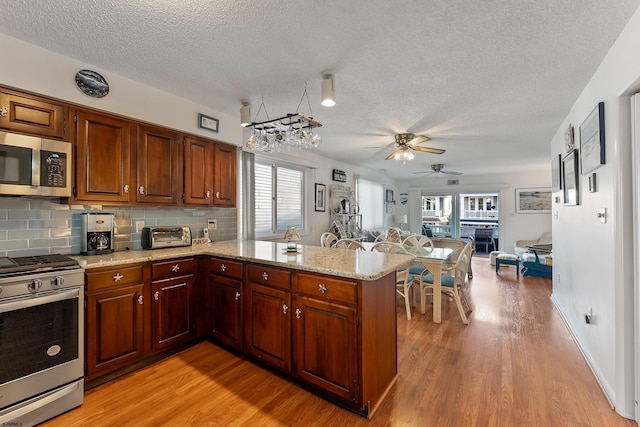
pixel 513 226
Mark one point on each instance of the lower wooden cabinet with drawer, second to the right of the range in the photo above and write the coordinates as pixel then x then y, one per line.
pixel 172 308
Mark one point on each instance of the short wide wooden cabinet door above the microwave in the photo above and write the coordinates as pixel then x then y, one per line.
pixel 33 116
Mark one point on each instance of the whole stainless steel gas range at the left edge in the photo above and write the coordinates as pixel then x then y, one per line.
pixel 41 338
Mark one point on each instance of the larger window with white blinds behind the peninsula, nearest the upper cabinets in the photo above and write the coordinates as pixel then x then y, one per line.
pixel 278 197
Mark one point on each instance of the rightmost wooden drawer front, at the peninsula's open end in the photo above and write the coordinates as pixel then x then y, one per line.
pixel 326 287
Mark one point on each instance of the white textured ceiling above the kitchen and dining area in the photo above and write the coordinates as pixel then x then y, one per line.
pixel 488 81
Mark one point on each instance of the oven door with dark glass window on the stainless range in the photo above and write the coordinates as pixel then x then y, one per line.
pixel 41 343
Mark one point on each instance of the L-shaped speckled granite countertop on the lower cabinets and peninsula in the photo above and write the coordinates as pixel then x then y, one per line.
pixel 350 263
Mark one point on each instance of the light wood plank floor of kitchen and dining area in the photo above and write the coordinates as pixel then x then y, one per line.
pixel 515 364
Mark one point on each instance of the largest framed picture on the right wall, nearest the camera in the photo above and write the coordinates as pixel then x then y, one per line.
pixel 592 141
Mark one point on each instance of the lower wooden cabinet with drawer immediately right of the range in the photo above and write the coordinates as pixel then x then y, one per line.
pixel 114 311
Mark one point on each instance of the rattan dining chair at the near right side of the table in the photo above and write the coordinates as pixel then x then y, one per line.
pixel 454 283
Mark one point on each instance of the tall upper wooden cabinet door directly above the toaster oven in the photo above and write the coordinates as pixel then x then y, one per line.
pixel 158 165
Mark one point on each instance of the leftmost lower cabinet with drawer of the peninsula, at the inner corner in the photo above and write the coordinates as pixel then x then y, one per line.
pixel 225 284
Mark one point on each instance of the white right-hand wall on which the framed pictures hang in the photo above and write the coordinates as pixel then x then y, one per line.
pixel 593 262
